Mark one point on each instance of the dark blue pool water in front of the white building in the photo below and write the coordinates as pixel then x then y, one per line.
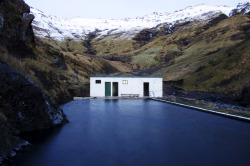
pixel 139 132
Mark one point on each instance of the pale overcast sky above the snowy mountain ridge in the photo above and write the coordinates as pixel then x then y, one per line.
pixel 117 8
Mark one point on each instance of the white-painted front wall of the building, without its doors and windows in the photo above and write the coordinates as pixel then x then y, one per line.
pixel 134 86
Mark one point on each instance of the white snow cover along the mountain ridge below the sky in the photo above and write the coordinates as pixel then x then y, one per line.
pixel 77 28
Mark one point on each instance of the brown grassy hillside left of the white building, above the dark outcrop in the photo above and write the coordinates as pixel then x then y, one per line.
pixel 61 73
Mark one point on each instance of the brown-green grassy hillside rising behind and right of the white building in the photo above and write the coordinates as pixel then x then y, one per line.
pixel 208 57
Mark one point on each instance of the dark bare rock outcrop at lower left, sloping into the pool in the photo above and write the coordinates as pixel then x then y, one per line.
pixel 23 108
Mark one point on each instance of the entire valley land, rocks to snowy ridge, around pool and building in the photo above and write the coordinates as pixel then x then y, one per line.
pixel 202 52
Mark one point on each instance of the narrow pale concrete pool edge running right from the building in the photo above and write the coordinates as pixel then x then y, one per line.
pixel 205 110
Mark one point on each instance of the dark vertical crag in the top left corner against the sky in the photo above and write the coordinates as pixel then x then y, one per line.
pixel 16 32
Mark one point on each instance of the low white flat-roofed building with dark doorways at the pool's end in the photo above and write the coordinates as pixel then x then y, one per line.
pixel 126 86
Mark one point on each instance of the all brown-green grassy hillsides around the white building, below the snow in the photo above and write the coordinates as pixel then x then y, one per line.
pixel 207 56
